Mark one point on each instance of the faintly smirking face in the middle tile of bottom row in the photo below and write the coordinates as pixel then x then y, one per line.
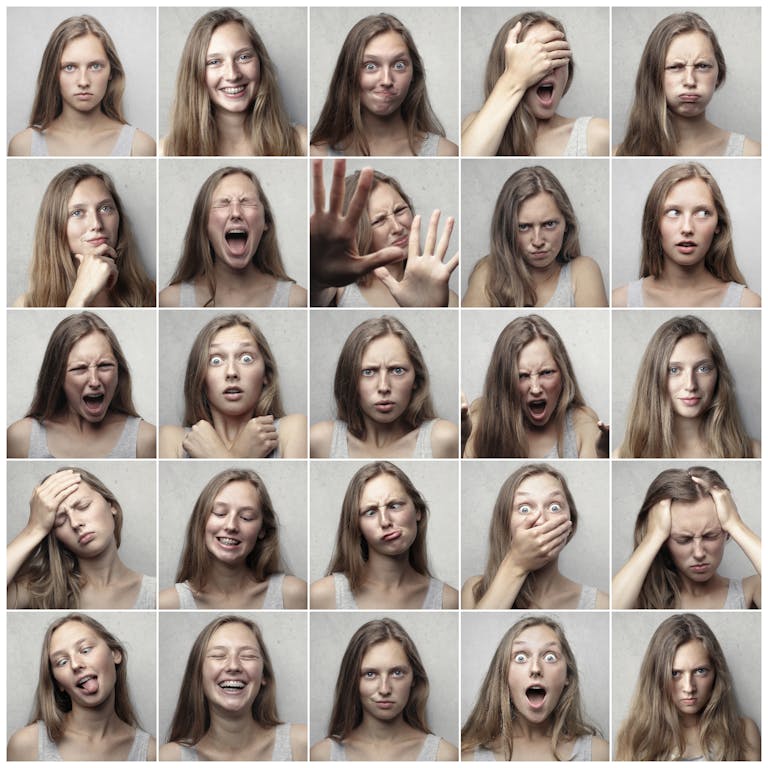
pixel 386 679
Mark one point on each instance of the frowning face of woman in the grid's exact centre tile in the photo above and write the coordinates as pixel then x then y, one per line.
pixel 386 379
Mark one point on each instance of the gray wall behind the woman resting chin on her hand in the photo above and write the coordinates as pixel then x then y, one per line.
pixel 135 183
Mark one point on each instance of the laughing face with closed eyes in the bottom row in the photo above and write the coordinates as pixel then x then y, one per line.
pixel 233 668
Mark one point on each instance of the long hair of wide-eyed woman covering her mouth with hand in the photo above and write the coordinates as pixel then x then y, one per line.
pixel 498 533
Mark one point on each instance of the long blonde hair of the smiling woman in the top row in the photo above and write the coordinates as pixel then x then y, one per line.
pixel 193 128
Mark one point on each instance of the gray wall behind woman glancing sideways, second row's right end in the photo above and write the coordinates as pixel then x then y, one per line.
pixel 739 181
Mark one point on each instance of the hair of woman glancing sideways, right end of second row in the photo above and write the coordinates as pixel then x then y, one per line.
pixel 720 260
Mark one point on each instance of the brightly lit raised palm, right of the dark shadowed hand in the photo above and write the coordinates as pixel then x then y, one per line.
pixel 425 281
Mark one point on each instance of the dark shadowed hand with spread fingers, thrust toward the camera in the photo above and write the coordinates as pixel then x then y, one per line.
pixel 333 256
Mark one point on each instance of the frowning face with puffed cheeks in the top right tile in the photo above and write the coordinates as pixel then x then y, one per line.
pixel 690 74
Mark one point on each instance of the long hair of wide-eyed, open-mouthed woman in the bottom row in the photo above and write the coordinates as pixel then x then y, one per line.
pixel 492 718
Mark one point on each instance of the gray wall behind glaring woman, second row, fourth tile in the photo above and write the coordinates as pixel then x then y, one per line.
pixel 585 181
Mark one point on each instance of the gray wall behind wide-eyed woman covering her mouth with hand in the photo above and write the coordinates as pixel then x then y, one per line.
pixel 584 559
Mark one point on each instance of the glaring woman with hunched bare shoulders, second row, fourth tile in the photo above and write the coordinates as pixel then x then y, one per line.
pixel 535 259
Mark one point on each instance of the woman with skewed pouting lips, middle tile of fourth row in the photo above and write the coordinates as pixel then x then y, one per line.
pixel 380 555
